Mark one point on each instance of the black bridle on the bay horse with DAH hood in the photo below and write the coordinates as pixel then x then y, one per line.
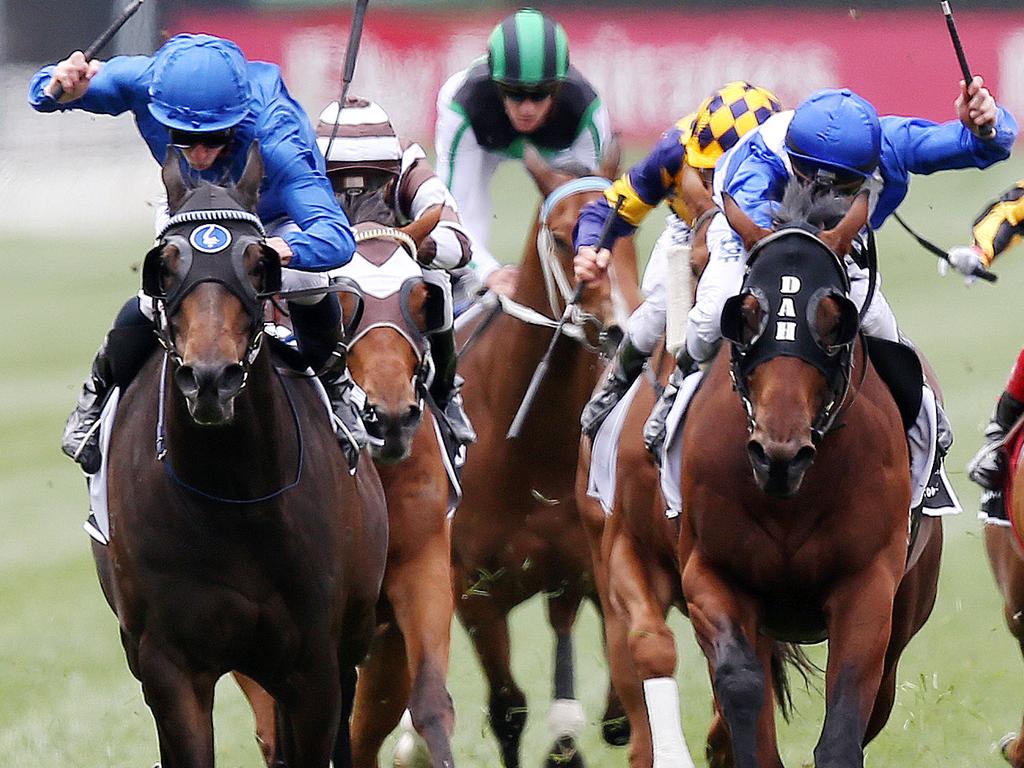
pixel 836 362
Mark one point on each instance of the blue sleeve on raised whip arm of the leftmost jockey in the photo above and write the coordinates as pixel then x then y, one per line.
pixel 122 83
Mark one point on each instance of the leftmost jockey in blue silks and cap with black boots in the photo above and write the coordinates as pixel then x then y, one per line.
pixel 200 96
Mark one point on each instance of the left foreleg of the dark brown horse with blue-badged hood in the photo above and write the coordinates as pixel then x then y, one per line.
pixel 182 703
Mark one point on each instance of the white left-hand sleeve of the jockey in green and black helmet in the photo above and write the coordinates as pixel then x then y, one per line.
pixel 466 168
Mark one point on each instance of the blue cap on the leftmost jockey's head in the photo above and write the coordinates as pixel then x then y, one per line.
pixel 200 83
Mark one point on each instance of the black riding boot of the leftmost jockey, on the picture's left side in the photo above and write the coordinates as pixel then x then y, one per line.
pixel 119 359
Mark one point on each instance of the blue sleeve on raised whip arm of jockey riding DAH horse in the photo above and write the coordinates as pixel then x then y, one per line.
pixel 923 147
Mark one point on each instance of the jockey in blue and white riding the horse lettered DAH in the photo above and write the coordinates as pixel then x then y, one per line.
pixel 836 141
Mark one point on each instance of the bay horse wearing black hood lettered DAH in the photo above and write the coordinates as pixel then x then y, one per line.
pixel 815 543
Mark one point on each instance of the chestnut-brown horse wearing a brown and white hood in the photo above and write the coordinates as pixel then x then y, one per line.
pixel 390 312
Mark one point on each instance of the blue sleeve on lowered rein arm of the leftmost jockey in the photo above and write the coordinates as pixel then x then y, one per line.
pixel 326 240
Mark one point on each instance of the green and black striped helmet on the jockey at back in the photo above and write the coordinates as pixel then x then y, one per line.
pixel 529 50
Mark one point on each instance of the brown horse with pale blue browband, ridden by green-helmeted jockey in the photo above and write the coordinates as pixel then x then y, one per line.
pixel 518 532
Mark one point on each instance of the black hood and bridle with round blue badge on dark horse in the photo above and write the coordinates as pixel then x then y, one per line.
pixel 231 233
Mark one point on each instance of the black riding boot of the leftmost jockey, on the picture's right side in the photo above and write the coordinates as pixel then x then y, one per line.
pixel 318 331
